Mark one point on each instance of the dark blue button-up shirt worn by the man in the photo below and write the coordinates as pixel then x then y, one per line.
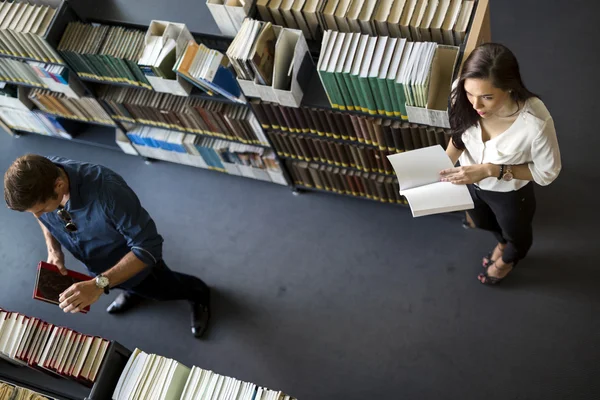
pixel 110 220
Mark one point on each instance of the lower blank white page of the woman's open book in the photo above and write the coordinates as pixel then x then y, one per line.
pixel 438 197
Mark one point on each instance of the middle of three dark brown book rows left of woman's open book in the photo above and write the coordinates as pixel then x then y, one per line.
pixel 366 159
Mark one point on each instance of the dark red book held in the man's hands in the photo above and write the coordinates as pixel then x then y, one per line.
pixel 50 283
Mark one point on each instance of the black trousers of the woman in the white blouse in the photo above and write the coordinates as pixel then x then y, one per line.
pixel 508 215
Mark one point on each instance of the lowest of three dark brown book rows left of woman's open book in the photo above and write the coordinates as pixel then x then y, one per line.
pixel 344 181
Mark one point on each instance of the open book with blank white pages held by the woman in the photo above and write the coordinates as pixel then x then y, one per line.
pixel 418 173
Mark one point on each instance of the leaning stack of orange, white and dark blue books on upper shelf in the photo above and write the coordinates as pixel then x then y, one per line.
pixel 209 70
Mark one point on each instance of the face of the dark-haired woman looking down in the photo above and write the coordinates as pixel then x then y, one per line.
pixel 486 99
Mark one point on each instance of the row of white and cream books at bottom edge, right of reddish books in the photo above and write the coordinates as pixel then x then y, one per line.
pixel 146 374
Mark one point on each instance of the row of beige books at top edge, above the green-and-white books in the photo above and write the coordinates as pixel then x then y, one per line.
pixel 441 21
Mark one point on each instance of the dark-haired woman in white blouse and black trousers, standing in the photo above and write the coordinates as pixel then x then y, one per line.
pixel 505 140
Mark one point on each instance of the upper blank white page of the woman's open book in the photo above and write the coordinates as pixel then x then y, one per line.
pixel 419 167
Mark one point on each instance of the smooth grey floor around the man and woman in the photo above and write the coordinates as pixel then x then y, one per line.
pixel 334 298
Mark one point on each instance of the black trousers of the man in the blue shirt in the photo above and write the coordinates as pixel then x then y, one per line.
pixel 162 284
